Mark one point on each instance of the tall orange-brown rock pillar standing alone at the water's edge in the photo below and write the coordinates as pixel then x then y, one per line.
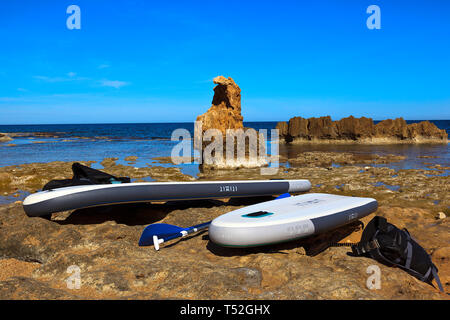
pixel 224 118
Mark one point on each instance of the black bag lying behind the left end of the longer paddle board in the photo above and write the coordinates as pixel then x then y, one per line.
pixel 83 175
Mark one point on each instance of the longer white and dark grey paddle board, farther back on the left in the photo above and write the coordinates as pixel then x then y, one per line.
pixel 78 197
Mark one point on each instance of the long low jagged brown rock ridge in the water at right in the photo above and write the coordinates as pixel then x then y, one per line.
pixel 362 129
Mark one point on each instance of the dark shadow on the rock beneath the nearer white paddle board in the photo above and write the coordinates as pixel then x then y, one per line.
pixel 313 245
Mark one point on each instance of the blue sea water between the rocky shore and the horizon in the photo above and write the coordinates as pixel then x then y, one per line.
pixel 84 142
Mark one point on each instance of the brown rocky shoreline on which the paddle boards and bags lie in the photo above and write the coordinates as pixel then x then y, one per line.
pixel 35 253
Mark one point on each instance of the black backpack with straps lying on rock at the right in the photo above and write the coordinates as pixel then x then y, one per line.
pixel 393 247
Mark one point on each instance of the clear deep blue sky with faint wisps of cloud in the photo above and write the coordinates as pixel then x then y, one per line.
pixel 154 61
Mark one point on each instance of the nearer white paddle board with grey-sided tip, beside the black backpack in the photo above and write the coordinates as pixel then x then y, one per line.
pixel 287 219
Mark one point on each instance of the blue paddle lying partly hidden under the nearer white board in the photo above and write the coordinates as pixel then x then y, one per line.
pixel 158 233
